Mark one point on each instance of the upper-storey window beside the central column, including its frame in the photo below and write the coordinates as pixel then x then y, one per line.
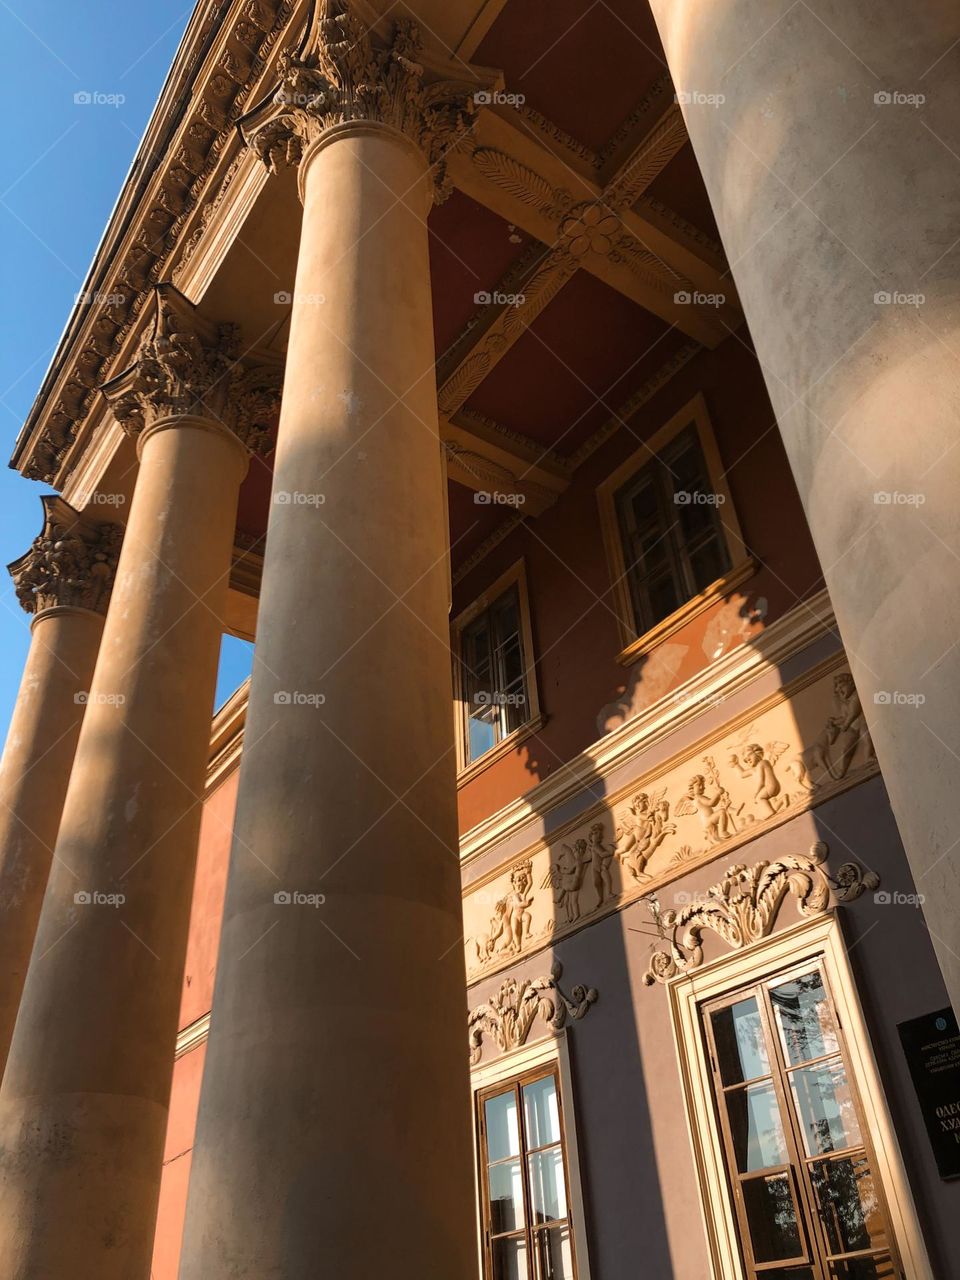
pixel 495 679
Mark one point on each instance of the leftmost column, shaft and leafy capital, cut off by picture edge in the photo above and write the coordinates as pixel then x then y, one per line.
pixel 65 582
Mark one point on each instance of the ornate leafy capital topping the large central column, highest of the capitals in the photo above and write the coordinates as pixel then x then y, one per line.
pixel 342 74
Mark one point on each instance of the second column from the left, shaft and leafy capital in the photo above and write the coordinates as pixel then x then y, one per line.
pixel 85 1099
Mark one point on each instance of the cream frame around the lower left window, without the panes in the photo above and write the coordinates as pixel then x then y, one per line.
pixel 532 1062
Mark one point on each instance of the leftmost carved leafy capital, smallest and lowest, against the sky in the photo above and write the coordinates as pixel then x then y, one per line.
pixel 72 563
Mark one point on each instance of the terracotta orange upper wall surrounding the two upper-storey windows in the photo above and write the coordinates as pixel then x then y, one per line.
pixel 577 637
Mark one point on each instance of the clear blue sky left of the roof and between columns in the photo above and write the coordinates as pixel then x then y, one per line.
pixel 65 164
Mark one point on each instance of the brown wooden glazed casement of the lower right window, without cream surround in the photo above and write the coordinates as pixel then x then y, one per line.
pixel 808 1201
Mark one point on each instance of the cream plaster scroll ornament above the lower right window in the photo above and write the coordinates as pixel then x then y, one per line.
pixel 743 908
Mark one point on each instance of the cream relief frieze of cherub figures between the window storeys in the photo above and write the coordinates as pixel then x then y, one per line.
pixel 798 748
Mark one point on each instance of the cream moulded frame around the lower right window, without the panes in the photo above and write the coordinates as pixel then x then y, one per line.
pixel 817 941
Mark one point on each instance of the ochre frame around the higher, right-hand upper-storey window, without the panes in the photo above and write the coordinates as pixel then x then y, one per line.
pixel 637 642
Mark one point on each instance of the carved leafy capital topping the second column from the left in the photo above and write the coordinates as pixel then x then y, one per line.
pixel 190 367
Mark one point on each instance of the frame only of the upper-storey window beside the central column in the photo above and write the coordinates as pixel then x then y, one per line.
pixel 467 769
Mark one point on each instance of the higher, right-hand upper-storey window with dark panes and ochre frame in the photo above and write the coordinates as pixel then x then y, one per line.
pixel 673 538
